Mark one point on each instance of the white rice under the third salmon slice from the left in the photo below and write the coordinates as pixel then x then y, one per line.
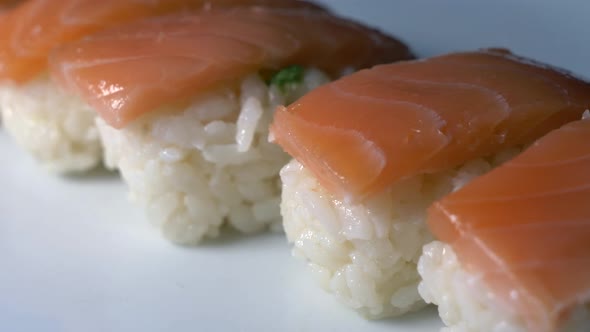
pixel 366 254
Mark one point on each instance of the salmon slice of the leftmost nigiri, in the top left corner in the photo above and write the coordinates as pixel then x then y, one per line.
pixel 32 29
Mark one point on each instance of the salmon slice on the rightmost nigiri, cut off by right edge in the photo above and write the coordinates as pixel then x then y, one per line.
pixel 525 227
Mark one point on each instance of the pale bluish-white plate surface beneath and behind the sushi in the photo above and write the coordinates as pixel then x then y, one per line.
pixel 74 256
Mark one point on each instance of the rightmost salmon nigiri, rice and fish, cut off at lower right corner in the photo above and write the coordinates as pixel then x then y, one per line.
pixel 514 244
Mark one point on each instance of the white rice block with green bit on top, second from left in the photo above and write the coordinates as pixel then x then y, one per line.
pixel 196 169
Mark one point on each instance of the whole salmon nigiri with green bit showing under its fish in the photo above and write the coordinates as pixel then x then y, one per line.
pixel 185 102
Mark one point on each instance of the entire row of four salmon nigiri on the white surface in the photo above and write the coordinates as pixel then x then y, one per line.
pixel 456 180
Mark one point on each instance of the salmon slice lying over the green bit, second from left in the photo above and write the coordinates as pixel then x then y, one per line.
pixel 129 71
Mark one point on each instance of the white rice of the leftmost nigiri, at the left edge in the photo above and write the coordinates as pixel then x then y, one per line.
pixel 56 128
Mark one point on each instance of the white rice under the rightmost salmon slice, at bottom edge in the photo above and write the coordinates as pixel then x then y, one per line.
pixel 465 303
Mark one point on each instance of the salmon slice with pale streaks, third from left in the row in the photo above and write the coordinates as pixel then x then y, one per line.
pixel 361 134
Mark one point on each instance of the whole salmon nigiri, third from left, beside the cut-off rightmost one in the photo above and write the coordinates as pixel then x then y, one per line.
pixel 374 149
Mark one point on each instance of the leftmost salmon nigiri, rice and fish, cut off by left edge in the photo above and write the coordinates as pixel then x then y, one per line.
pixel 56 128
